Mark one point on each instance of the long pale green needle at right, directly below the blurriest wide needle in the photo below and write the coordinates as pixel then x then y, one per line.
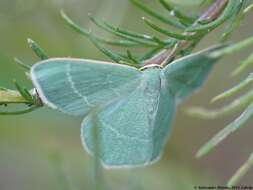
pixel 238 123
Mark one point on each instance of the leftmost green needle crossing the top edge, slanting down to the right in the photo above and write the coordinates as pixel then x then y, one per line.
pixel 156 15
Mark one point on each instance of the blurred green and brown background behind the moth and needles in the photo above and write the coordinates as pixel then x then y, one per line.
pixel 42 150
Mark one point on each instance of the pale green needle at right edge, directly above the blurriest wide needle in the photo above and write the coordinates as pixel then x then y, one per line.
pixel 235 89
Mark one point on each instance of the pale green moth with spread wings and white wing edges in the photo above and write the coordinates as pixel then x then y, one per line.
pixel 136 105
